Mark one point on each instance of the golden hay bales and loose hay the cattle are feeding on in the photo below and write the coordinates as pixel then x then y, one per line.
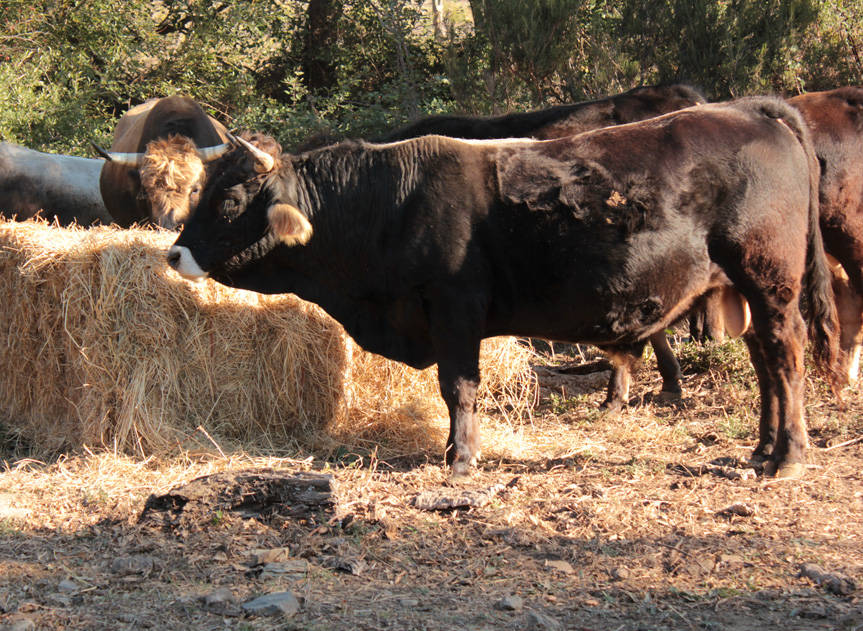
pixel 105 346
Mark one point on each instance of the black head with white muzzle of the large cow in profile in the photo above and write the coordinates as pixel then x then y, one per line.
pixel 249 205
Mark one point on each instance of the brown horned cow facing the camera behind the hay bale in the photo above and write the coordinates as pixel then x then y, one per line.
pixel 155 167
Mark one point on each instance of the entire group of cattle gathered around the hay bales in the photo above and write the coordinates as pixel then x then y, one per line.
pixel 601 222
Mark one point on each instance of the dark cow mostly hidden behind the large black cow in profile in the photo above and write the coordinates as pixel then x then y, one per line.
pixel 567 120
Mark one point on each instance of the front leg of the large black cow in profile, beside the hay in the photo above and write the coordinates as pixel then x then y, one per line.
pixel 459 381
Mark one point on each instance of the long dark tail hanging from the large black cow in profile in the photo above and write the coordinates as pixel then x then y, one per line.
pixel 819 304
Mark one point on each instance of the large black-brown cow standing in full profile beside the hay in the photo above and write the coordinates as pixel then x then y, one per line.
pixel 422 248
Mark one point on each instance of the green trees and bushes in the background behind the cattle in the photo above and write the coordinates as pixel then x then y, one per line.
pixel 70 68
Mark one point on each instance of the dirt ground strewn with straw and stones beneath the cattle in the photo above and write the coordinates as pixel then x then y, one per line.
pixel 648 520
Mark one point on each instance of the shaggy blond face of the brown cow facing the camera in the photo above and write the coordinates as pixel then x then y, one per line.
pixel 172 176
